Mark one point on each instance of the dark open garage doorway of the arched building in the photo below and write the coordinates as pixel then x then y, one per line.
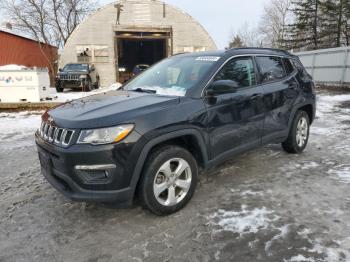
pixel 138 53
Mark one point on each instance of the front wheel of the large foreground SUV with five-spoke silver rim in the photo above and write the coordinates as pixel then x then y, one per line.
pixel 160 172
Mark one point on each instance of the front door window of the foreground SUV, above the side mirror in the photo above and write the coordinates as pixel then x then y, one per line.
pixel 239 70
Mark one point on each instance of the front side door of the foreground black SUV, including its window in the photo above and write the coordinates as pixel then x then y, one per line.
pixel 235 118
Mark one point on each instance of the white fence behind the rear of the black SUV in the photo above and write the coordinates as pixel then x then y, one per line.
pixel 328 66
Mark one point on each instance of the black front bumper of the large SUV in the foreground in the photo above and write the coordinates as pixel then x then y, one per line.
pixel 62 168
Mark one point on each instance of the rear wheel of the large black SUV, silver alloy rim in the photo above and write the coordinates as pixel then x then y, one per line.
pixel 299 134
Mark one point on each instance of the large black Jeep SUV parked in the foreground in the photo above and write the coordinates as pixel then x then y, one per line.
pixel 188 111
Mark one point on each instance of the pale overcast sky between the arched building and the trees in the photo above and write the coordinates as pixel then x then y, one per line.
pixel 219 17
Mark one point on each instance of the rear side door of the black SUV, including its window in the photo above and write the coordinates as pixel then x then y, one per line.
pixel 277 76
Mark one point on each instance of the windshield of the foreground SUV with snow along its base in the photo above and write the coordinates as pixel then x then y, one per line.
pixel 173 76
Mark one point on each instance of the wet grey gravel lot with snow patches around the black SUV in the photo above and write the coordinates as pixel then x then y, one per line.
pixel 265 205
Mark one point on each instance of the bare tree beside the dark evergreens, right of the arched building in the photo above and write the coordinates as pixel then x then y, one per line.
pixel 273 23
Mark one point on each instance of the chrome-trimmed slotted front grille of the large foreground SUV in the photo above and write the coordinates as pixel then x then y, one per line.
pixel 56 135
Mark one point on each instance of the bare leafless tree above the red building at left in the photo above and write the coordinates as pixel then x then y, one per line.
pixel 48 21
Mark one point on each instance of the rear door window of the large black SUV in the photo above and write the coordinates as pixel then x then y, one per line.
pixel 271 68
